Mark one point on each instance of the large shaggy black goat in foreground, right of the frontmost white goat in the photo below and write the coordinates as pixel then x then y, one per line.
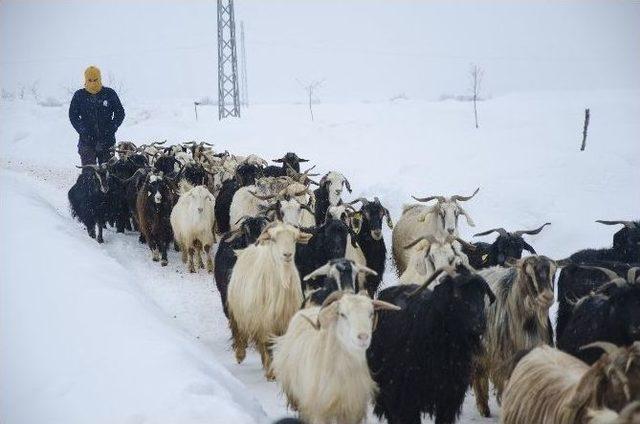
pixel 422 356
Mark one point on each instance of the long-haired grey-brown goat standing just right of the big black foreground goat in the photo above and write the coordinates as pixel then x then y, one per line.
pixel 518 320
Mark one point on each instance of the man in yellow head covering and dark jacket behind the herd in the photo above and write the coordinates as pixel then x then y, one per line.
pixel 96 113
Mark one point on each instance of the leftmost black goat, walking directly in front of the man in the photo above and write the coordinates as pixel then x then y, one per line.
pixel 89 198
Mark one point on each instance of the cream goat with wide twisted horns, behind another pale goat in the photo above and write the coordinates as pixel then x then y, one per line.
pixel 439 220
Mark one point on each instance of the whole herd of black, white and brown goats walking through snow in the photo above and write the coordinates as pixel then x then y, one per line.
pixel 299 271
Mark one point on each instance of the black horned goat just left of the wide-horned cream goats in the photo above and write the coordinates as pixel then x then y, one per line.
pixel 370 240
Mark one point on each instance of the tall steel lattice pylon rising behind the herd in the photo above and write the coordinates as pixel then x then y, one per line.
pixel 228 98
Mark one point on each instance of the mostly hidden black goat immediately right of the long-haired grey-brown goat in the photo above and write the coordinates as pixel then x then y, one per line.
pixel 578 281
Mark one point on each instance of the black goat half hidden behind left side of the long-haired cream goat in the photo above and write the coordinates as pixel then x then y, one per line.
pixel 225 258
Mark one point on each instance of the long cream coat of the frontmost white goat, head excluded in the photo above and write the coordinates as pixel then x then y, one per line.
pixel 322 379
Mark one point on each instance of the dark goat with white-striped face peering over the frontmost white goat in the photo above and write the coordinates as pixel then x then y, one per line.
pixel 337 275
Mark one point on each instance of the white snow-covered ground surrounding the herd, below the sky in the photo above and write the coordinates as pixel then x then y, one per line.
pixel 99 333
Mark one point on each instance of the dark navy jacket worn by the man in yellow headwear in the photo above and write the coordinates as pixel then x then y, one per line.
pixel 96 117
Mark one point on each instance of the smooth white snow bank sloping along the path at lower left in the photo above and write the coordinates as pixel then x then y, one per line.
pixel 79 340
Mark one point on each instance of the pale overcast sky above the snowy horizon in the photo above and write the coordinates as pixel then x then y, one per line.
pixel 363 50
